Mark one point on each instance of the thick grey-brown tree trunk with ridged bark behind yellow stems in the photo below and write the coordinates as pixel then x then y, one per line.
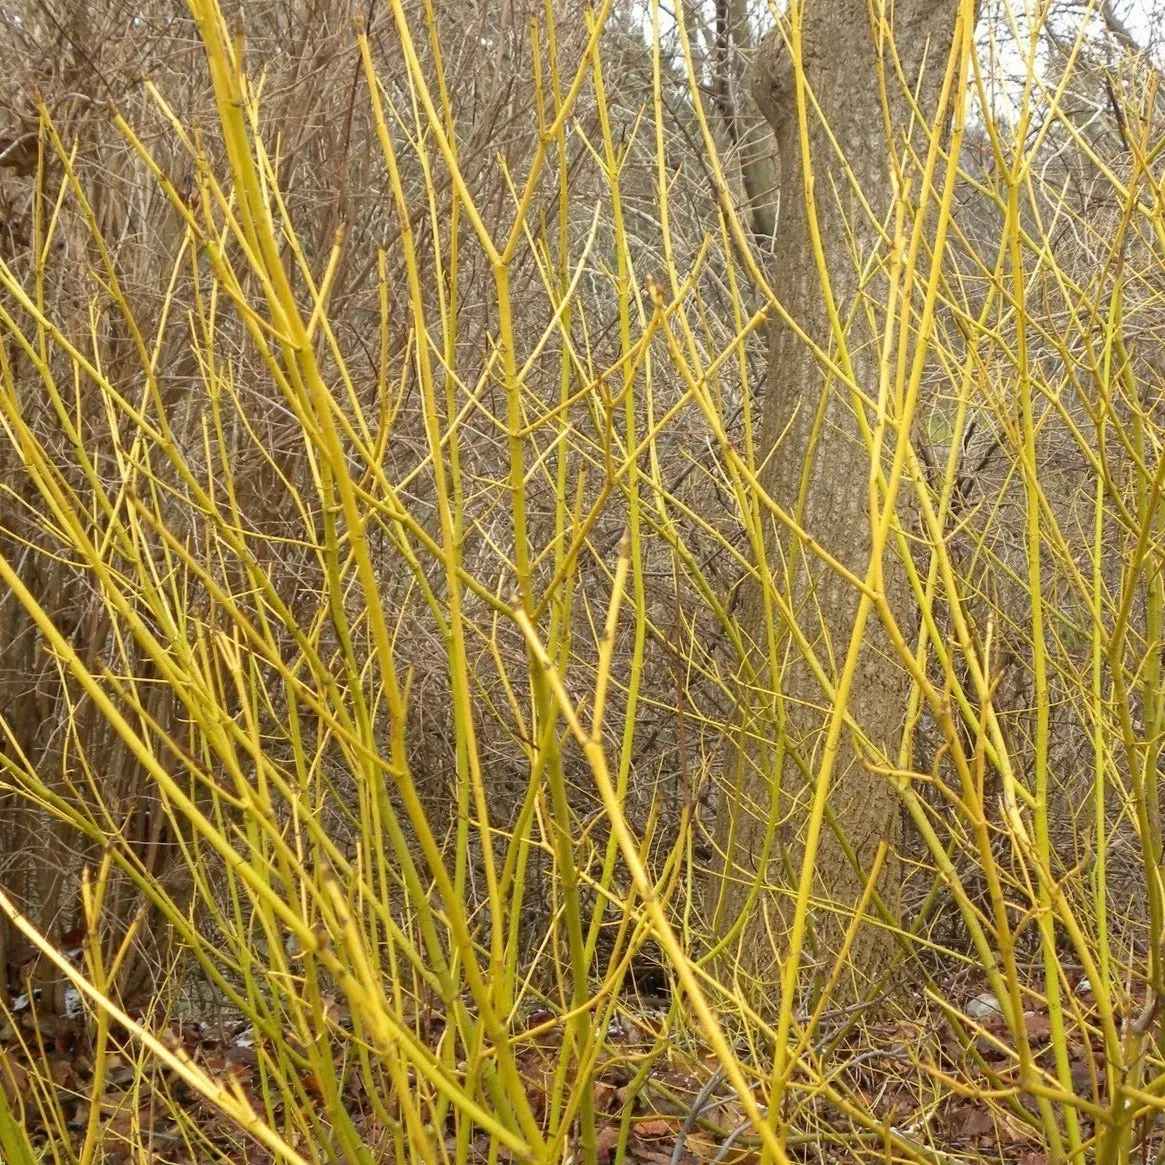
pixel 817 465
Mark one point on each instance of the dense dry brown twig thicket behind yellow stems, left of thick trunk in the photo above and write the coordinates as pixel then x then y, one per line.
pixel 73 65
